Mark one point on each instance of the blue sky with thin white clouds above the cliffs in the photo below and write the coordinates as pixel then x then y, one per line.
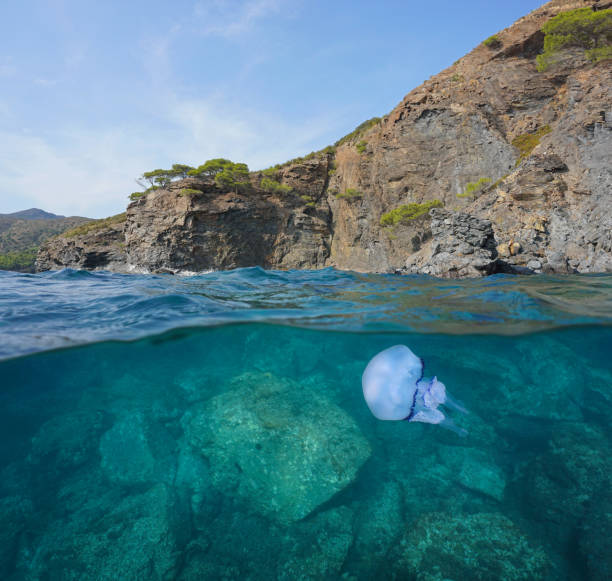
pixel 94 93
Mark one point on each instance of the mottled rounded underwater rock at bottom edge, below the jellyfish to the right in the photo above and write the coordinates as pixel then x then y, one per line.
pixel 479 547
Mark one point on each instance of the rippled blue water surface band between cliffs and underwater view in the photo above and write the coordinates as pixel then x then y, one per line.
pixel 69 307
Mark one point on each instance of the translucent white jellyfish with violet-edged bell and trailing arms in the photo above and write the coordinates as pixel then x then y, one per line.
pixel 394 389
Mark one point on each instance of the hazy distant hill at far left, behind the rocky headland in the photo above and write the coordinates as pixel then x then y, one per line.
pixel 21 233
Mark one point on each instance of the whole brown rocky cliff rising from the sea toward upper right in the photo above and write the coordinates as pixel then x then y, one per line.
pixel 527 151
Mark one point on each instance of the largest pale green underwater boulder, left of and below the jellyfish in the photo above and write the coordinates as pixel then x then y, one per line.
pixel 279 447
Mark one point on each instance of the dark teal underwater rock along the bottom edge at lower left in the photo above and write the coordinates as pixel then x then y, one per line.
pixel 139 539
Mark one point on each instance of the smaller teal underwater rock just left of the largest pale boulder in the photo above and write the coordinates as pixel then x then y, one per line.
pixel 135 452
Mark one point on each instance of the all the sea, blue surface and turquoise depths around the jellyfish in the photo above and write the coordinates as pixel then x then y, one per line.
pixel 214 427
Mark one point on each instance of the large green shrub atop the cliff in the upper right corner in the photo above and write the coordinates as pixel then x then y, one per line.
pixel 582 28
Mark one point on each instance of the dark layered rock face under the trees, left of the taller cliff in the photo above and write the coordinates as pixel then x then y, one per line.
pixel 219 230
